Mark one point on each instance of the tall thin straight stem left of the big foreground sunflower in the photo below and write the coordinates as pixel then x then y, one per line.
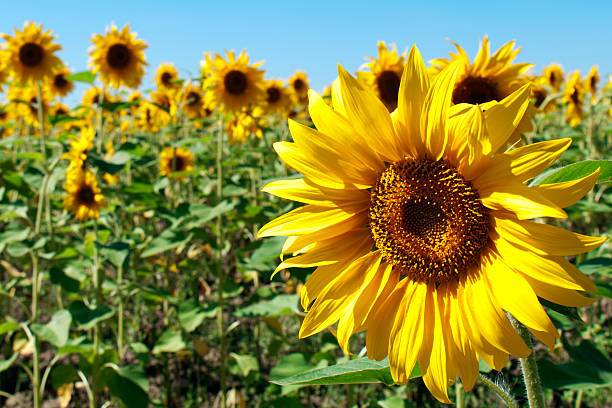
pixel 220 271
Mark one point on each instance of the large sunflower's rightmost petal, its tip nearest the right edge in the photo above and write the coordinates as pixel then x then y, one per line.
pixel 545 239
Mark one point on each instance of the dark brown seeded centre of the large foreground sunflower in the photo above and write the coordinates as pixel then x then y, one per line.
pixel 428 221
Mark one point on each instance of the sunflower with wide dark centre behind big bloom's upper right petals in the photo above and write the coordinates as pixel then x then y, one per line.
pixel 489 79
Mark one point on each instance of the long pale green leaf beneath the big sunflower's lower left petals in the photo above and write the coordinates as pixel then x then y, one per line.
pixel 361 370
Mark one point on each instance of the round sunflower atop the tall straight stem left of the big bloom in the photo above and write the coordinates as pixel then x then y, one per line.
pixel 233 84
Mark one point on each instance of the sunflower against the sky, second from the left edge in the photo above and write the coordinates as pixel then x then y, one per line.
pixel 118 57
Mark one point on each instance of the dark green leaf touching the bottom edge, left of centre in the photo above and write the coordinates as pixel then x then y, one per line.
pixel 128 384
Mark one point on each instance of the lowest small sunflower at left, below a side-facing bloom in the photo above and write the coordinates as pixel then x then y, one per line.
pixel 83 197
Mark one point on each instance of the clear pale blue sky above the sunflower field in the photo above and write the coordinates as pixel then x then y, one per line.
pixel 315 35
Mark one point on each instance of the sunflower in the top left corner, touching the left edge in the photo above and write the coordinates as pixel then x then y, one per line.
pixel 30 54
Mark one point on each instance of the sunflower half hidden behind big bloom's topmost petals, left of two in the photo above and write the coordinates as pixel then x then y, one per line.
pixel 383 74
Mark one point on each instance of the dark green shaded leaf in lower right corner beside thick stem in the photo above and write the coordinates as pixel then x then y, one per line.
pixel 590 368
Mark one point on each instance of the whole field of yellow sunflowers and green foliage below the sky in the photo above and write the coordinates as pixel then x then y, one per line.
pixel 418 234
